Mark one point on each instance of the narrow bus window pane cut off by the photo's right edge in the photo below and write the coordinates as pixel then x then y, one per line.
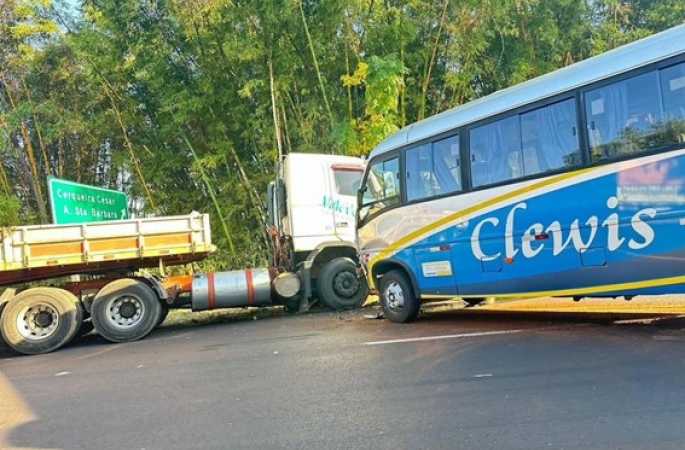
pixel 673 92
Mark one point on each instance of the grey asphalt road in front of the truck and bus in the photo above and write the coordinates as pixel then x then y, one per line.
pixel 488 378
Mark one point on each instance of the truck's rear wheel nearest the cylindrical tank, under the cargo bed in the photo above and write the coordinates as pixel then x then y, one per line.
pixel 125 310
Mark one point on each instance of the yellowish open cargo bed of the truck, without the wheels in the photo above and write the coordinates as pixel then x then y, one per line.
pixel 34 253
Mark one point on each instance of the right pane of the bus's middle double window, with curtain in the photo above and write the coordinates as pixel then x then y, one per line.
pixel 550 138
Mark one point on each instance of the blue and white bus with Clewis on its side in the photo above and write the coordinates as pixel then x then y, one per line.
pixel 571 184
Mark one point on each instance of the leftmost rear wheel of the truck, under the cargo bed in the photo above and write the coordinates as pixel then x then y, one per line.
pixel 41 320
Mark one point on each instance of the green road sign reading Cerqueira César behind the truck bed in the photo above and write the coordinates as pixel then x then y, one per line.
pixel 77 203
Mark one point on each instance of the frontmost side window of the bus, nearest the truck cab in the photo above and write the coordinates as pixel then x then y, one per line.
pixel 381 188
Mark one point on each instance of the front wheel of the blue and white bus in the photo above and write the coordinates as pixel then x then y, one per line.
pixel 397 299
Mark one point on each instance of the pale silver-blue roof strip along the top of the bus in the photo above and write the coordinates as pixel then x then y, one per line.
pixel 639 53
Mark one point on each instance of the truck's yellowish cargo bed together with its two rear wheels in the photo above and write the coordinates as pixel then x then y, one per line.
pixel 93 269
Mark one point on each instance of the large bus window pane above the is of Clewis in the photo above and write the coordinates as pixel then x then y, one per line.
pixel 623 117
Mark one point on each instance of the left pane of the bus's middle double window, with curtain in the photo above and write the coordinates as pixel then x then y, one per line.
pixel 495 152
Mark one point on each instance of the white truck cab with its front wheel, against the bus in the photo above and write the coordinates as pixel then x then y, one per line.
pixel 312 205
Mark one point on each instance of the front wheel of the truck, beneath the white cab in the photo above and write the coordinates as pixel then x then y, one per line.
pixel 339 285
